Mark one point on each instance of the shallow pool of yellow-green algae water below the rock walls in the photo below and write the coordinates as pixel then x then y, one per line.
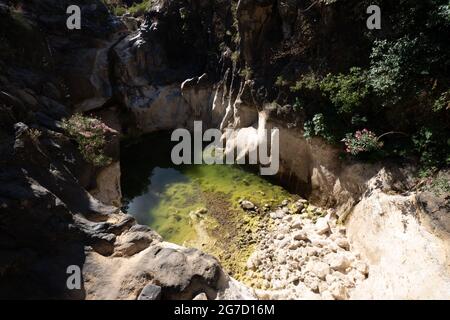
pixel 194 205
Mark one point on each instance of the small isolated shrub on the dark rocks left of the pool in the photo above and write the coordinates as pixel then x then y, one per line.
pixel 90 134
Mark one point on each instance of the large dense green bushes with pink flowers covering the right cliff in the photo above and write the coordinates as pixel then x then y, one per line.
pixel 401 86
